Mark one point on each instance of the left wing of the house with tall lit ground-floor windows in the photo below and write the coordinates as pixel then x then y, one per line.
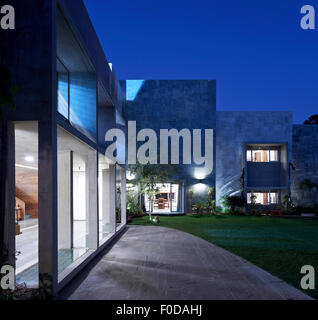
pixel 66 196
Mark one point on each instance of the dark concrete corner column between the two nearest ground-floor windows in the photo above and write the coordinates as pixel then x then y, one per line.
pixel 48 243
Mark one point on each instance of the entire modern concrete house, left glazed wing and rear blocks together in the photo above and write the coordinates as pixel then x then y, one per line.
pixel 68 198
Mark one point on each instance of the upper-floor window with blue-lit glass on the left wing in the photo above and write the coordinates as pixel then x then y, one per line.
pixel 76 80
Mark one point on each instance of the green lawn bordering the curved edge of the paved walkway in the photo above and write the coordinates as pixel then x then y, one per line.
pixel 280 246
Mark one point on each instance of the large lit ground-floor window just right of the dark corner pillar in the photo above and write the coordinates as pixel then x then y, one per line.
pixel 77 199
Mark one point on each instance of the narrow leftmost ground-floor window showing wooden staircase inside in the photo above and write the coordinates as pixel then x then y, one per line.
pixel 27 202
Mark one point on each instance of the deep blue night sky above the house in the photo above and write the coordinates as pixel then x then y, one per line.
pixel 256 50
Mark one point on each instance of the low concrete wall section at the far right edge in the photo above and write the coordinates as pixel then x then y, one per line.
pixel 305 160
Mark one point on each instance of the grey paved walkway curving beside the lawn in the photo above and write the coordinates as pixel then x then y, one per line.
pixel 154 263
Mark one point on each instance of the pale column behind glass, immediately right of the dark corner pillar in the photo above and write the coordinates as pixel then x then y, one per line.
pixel 64 200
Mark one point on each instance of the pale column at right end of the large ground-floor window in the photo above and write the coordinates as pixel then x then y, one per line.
pixel 91 200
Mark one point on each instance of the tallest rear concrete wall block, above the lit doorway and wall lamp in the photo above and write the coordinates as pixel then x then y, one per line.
pixel 178 104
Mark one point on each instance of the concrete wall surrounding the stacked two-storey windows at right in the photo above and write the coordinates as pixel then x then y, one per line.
pixel 236 128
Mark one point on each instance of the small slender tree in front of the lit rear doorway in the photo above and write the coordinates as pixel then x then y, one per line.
pixel 148 176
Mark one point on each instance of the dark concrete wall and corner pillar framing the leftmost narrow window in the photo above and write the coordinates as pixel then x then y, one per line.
pixel 31 58
